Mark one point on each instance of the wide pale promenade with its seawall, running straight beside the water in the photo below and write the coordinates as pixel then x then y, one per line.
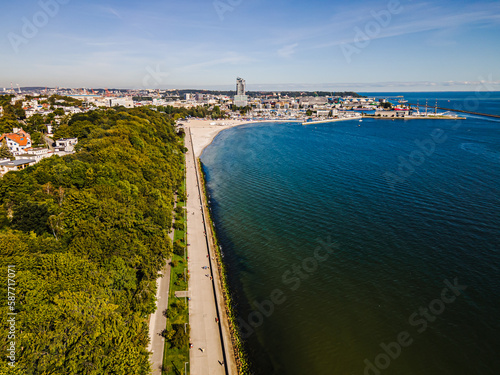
pixel 212 351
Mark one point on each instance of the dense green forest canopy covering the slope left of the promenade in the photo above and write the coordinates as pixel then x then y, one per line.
pixel 87 235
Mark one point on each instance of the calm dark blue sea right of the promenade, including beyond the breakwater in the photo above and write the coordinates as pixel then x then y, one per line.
pixel 401 207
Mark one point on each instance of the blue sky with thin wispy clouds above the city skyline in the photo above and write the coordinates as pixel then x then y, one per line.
pixel 359 45
